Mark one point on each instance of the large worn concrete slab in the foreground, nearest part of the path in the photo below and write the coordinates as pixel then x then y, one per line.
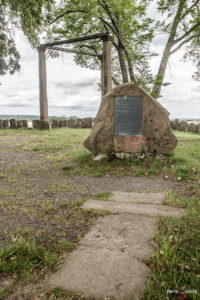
pixel 109 261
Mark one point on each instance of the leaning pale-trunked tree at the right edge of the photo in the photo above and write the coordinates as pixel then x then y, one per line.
pixel 182 23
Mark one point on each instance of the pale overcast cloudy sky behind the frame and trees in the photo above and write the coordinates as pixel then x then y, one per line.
pixel 74 91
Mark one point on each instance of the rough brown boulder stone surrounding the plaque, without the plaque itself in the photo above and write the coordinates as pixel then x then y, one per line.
pixel 157 134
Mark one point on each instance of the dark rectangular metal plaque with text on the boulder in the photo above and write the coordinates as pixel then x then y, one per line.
pixel 128 115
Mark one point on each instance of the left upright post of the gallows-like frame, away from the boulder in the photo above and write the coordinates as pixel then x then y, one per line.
pixel 43 85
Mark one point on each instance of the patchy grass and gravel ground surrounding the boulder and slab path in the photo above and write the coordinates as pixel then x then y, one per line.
pixel 41 219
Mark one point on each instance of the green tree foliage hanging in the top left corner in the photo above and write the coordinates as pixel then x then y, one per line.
pixel 27 15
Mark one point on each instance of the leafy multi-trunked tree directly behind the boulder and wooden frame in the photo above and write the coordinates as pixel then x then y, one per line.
pixel 130 31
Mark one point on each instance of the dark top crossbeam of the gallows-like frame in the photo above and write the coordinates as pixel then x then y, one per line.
pixel 86 38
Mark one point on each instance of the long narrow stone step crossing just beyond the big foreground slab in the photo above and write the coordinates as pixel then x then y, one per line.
pixel 134 208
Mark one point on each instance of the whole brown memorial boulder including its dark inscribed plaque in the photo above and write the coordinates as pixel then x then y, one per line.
pixel 130 121
